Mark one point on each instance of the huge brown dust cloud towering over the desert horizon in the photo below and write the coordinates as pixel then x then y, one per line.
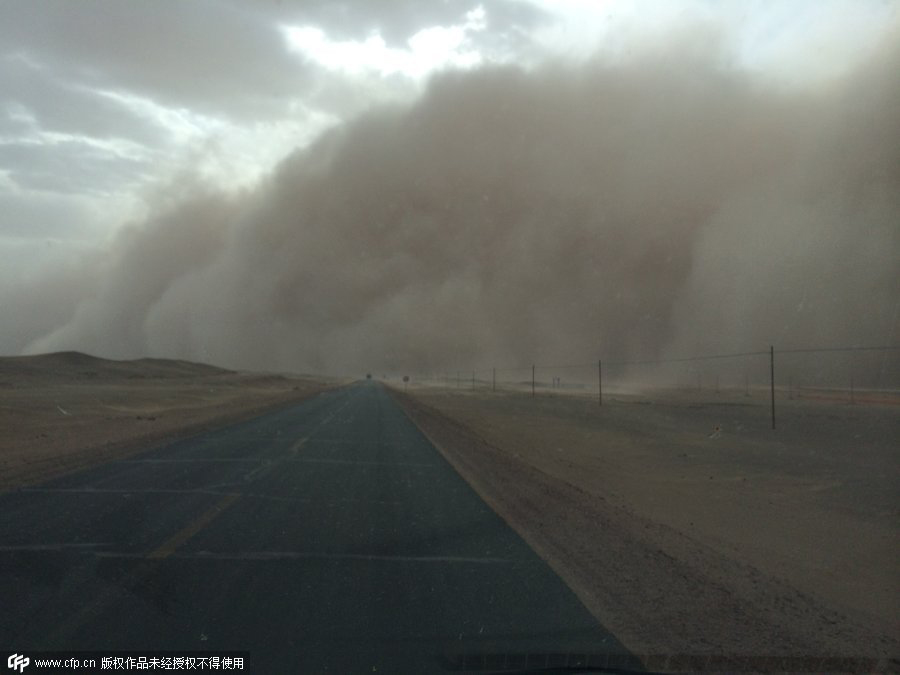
pixel 658 205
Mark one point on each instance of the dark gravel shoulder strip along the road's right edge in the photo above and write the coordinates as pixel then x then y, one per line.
pixel 659 590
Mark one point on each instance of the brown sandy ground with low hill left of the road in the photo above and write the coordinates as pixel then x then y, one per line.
pixel 60 412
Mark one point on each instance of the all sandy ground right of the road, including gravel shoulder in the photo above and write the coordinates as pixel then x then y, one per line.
pixel 685 523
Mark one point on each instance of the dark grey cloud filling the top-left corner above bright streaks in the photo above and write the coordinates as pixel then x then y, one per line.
pixel 208 56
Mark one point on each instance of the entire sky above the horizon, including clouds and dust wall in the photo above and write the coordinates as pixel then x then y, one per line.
pixel 417 184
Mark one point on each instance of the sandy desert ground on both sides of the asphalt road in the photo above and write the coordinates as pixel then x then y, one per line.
pixel 680 519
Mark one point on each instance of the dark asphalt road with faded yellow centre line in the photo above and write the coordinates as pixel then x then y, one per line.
pixel 329 536
